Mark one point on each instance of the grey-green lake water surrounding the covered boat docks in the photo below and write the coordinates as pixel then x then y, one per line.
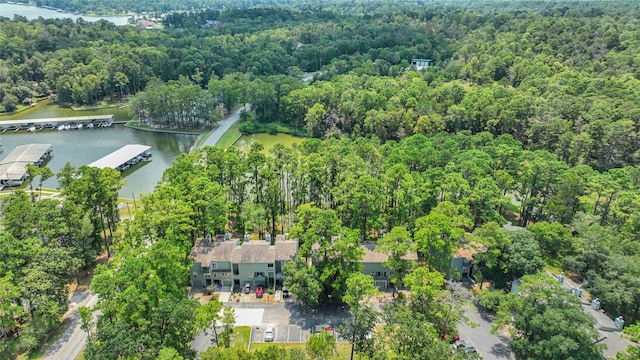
pixel 82 147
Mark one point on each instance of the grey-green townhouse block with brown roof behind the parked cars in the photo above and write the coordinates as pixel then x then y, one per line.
pixel 230 263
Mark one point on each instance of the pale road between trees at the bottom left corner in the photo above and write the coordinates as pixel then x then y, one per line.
pixel 72 341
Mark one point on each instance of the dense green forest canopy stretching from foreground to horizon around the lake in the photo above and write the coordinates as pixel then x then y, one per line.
pixel 529 114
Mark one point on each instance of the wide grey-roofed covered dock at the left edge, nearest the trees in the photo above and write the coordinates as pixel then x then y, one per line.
pixel 13 169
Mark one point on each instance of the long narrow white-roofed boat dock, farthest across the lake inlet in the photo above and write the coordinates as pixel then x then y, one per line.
pixel 60 123
